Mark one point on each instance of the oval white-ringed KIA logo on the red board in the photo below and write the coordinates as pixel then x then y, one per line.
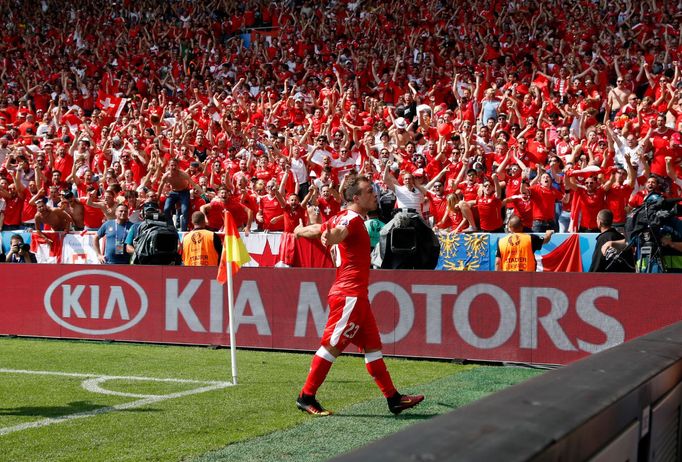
pixel 95 302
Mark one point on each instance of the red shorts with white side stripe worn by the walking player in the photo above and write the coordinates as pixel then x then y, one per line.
pixel 351 321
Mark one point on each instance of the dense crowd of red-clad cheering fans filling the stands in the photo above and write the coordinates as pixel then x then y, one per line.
pixel 467 112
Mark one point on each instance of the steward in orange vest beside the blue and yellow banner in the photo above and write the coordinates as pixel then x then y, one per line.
pixel 516 252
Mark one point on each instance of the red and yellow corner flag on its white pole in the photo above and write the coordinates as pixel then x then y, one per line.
pixel 234 256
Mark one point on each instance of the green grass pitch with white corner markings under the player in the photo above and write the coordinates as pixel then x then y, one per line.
pixel 55 405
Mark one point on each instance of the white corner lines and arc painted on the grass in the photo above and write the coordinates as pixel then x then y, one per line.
pixel 93 385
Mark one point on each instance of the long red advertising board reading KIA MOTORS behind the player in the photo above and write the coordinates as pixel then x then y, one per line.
pixel 535 318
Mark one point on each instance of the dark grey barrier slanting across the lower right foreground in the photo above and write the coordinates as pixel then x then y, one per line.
pixel 621 404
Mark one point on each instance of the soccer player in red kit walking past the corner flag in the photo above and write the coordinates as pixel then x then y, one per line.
pixel 350 315
